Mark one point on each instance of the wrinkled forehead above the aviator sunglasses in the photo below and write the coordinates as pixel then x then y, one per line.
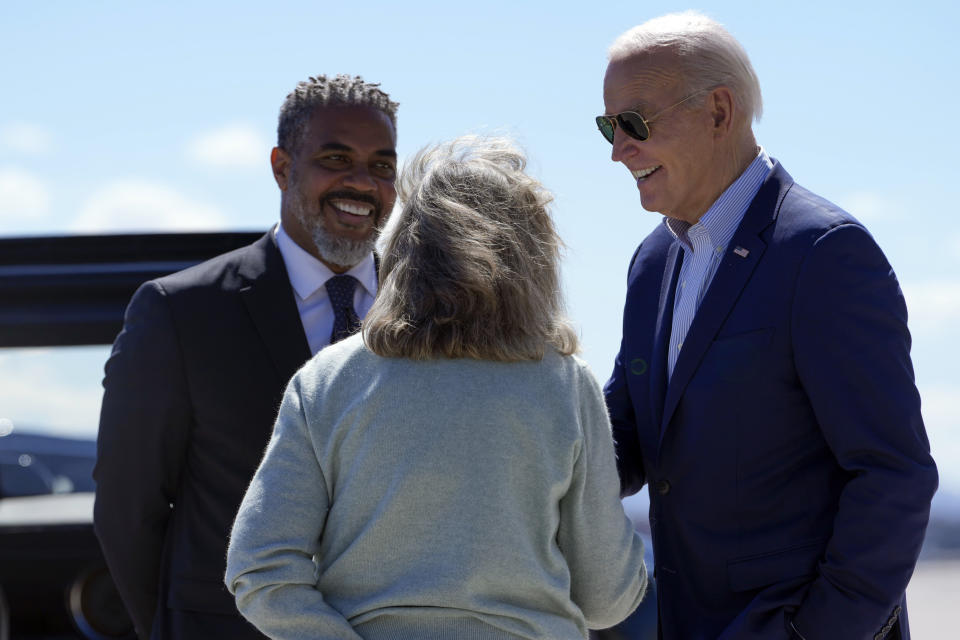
pixel 642 81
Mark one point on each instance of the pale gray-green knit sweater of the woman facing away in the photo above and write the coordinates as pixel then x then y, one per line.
pixel 448 498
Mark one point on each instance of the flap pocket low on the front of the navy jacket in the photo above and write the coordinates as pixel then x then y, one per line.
pixel 764 569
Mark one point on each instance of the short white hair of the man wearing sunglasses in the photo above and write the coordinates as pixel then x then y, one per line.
pixel 706 52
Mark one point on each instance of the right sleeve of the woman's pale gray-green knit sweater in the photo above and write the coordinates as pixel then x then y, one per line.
pixel 604 553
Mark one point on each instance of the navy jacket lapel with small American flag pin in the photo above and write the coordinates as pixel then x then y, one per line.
pixel 732 275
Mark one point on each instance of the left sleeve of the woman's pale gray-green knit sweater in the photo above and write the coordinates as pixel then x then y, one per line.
pixel 270 567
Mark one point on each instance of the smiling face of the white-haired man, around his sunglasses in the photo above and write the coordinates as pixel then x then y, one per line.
pixel 685 164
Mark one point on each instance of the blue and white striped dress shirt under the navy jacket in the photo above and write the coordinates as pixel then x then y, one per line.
pixel 704 244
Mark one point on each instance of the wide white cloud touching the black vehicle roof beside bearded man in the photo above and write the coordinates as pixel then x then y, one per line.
pixel 143 206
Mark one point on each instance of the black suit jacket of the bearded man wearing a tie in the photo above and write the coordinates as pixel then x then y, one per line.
pixel 192 389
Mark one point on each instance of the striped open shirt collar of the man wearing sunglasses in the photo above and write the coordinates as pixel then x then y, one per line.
pixel 723 217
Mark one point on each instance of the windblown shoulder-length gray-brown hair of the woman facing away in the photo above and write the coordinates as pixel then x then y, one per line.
pixel 471 266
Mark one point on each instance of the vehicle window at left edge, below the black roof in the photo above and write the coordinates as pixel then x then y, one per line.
pixel 49 409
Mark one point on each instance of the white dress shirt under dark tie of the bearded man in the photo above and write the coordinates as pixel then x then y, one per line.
pixel 308 277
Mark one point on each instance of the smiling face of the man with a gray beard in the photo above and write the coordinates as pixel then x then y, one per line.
pixel 338 187
